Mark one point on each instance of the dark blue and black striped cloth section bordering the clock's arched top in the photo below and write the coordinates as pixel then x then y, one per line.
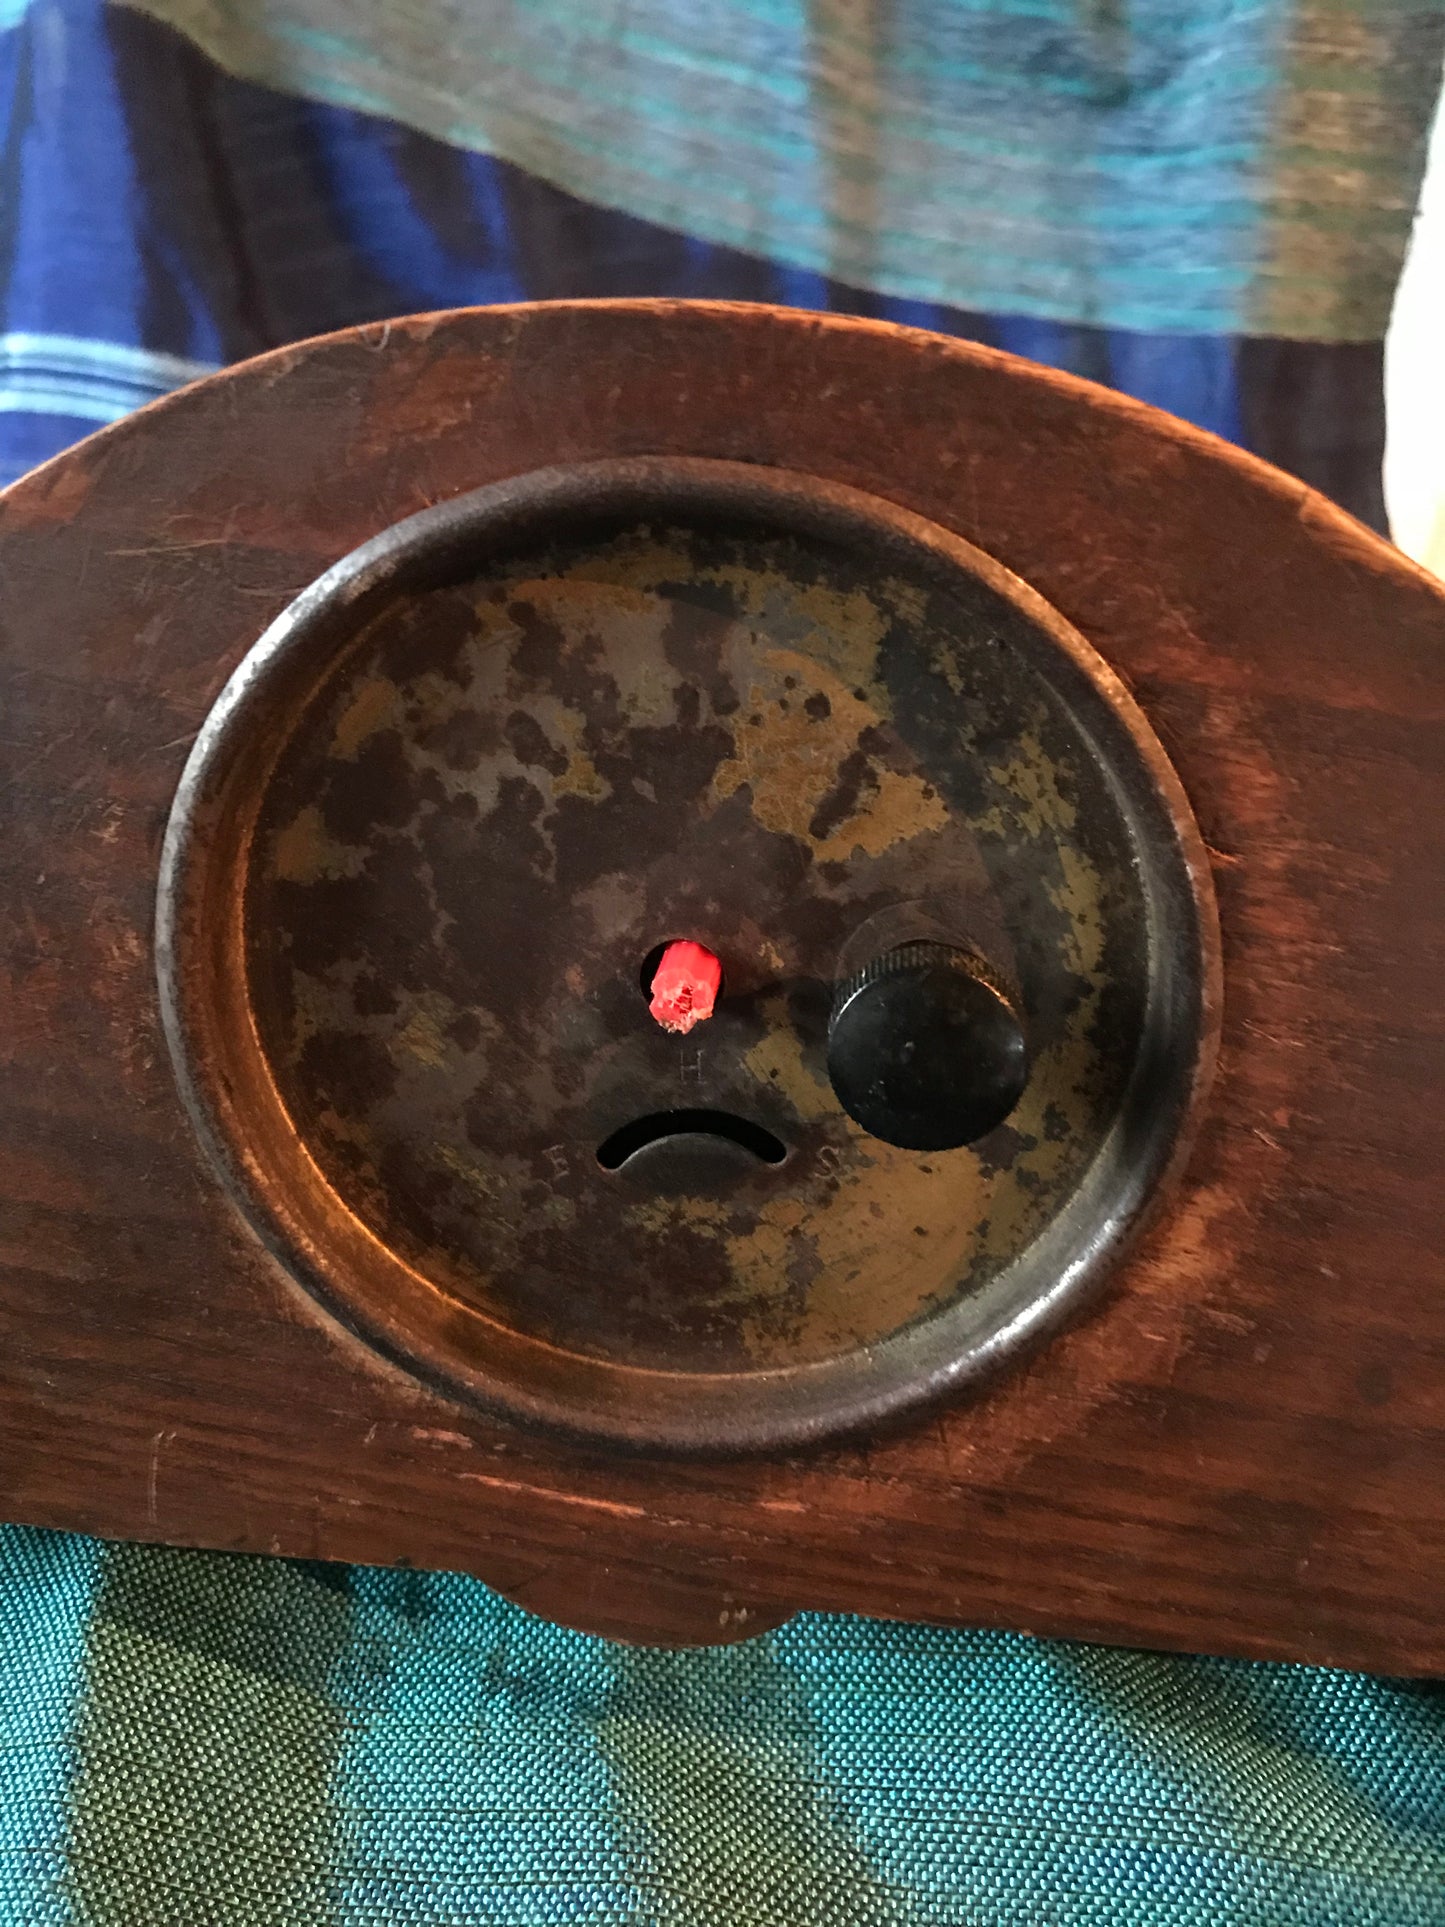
pixel 161 217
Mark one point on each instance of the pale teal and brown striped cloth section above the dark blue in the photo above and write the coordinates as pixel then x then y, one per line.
pixel 1221 167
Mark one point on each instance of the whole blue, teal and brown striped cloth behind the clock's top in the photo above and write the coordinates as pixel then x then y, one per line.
pixel 171 203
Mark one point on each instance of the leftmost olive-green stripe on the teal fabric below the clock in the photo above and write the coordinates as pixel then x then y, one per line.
pixel 207 1739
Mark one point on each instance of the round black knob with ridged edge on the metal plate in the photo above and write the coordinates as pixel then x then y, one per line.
pixel 926 1049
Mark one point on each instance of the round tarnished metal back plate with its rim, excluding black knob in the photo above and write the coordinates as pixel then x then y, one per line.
pixel 486 764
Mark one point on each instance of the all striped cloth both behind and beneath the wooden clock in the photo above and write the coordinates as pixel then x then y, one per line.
pixel 1199 201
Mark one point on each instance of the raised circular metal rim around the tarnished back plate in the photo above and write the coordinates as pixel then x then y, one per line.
pixel 282 1194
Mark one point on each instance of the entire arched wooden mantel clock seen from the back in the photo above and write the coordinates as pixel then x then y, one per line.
pixel 712 963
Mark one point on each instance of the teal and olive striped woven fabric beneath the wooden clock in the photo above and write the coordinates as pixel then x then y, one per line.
pixel 209 1741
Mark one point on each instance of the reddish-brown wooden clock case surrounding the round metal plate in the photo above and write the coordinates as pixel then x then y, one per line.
pixel 1240 1452
